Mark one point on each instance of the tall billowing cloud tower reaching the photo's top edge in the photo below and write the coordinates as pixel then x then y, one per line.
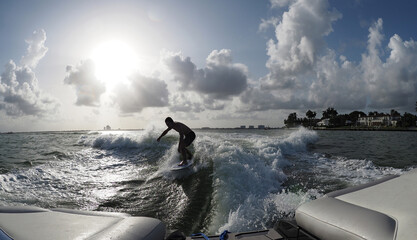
pixel 299 39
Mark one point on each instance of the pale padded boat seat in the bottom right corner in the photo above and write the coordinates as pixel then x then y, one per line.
pixel 385 209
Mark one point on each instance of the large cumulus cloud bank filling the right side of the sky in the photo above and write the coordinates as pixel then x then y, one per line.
pixel 305 73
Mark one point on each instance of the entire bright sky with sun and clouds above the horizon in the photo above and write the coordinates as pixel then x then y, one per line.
pixel 129 64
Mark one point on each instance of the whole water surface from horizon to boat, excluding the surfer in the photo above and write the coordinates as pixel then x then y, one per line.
pixel 241 180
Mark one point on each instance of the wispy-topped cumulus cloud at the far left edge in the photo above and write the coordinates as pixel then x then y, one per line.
pixel 19 91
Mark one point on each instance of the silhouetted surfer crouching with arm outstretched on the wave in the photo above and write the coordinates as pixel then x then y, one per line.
pixel 187 136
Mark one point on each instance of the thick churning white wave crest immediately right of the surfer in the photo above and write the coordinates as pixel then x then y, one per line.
pixel 247 173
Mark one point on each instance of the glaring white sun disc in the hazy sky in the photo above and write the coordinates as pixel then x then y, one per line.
pixel 114 61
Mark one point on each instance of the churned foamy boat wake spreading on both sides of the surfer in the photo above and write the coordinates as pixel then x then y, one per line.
pixel 251 179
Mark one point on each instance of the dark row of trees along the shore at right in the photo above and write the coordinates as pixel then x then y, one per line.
pixel 340 120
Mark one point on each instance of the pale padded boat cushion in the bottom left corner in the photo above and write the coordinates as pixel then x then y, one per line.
pixel 38 223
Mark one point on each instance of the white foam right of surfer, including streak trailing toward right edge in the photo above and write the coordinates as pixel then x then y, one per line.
pixel 248 176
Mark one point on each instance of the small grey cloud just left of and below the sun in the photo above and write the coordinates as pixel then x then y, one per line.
pixel 87 87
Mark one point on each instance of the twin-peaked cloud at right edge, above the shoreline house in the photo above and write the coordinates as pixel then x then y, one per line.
pixel 393 82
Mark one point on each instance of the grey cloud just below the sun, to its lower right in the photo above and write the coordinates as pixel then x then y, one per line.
pixel 141 92
